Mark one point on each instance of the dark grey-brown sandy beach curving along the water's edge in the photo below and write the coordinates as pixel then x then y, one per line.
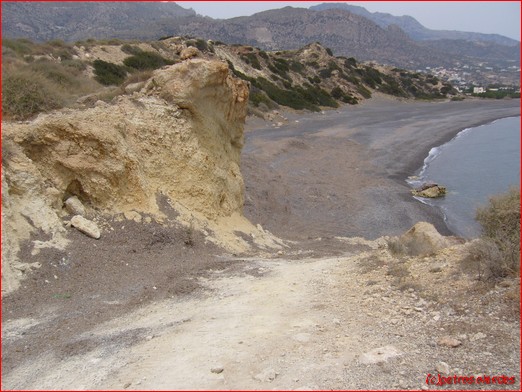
pixel 343 172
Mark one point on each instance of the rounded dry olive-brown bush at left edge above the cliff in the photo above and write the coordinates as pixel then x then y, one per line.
pixel 26 93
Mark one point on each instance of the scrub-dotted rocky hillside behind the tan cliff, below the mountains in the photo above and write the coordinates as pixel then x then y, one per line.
pixel 58 74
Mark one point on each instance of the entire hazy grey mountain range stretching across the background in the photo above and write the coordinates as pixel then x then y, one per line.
pixel 348 30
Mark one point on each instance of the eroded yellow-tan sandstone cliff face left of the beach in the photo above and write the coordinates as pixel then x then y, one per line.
pixel 180 136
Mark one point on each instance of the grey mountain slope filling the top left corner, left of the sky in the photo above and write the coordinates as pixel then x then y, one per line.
pixel 74 21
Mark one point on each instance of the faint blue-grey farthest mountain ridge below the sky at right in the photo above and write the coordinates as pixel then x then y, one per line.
pixel 413 28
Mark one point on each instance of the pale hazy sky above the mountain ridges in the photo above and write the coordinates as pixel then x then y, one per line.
pixel 500 17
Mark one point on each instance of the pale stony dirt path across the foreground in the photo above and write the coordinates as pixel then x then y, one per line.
pixel 296 325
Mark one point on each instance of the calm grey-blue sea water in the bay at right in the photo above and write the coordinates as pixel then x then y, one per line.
pixel 476 164
